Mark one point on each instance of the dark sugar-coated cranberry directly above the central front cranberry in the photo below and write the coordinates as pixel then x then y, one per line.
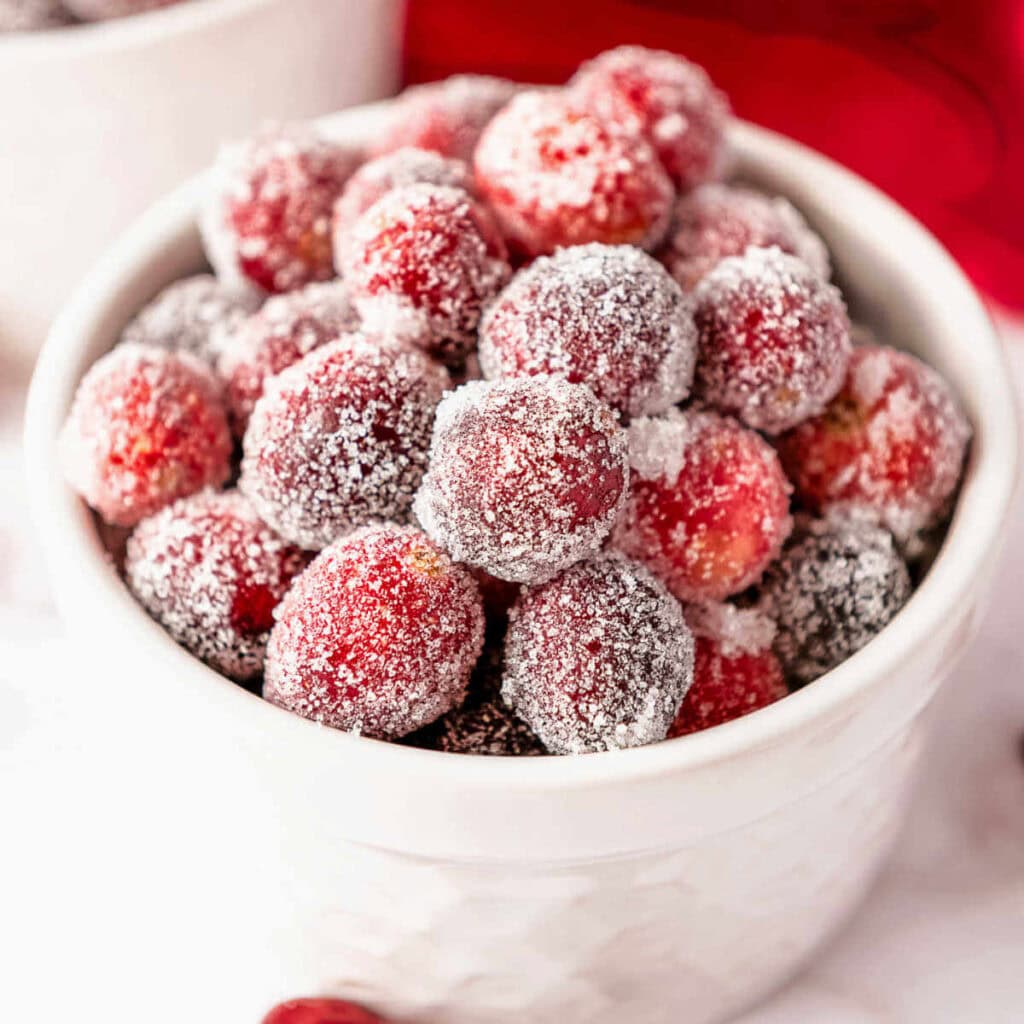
pixel 609 317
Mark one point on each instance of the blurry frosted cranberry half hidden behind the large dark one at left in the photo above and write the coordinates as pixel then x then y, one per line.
pixel 288 328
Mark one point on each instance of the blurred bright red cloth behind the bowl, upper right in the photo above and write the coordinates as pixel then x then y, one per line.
pixel 924 99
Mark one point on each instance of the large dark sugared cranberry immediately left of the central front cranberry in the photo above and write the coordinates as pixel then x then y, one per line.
pixel 342 439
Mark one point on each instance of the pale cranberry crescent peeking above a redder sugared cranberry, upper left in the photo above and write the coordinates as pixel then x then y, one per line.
pixel 376 179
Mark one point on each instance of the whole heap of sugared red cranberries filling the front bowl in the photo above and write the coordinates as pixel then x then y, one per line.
pixel 519 433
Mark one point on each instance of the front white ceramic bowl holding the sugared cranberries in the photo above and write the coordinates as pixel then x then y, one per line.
pixel 684 879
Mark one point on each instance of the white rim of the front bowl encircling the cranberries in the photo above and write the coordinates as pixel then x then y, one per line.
pixel 970 546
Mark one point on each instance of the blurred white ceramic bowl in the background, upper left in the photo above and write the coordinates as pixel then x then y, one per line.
pixel 101 120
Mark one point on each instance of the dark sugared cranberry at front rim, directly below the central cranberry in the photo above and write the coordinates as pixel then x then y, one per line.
pixel 598 659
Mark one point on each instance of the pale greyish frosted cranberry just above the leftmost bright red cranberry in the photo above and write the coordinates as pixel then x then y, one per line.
pixel 188 316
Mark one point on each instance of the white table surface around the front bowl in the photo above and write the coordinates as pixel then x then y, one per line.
pixel 941 940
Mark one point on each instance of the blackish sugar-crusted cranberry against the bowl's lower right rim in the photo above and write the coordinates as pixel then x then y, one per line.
pixel 837 585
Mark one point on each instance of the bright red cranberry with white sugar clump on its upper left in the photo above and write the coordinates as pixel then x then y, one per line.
pixel 709 508
